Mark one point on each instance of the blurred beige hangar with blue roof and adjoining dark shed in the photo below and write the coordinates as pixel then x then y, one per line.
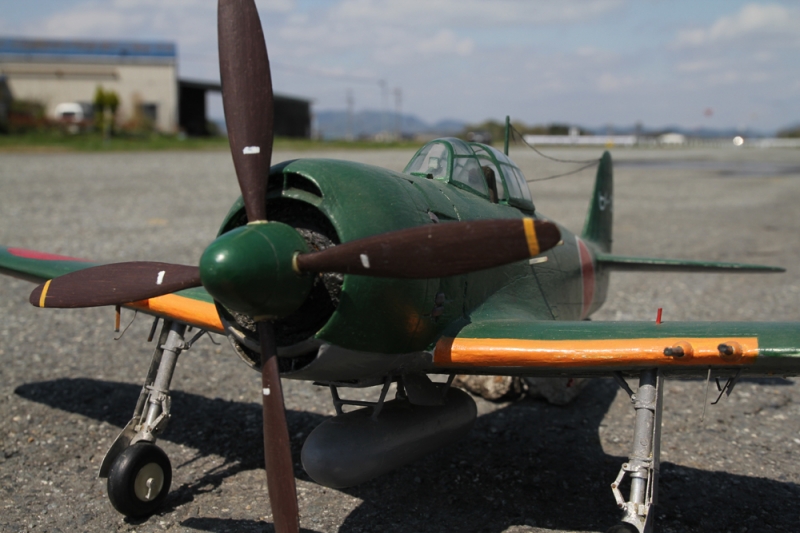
pixel 143 74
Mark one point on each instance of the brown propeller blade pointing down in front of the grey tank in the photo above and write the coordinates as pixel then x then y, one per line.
pixel 277 449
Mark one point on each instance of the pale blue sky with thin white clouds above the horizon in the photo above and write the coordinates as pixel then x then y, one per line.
pixel 588 62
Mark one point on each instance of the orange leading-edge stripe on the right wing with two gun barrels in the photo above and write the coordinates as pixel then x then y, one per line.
pixel 590 353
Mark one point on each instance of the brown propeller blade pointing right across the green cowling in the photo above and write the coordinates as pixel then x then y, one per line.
pixel 436 250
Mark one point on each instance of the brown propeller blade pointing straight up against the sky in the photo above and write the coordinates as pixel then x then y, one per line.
pixel 247 99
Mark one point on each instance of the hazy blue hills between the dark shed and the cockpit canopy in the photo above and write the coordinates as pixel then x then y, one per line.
pixel 337 124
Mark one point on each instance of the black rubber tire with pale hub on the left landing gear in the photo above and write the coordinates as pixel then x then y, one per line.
pixel 153 464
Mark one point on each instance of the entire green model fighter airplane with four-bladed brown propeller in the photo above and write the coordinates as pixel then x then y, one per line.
pixel 350 275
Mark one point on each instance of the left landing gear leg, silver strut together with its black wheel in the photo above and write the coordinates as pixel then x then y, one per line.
pixel 139 472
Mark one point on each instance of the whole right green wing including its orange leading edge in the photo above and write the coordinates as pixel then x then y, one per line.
pixel 533 347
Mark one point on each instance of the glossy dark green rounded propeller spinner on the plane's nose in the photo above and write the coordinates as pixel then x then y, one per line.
pixel 249 270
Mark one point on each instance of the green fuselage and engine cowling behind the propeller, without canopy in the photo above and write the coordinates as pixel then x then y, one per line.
pixel 394 316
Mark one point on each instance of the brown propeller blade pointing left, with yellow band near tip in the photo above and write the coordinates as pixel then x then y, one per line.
pixel 115 284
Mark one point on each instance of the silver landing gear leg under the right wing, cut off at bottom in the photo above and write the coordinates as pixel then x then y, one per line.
pixel 643 464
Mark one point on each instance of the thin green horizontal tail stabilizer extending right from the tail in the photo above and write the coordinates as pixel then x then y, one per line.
pixel 651 264
